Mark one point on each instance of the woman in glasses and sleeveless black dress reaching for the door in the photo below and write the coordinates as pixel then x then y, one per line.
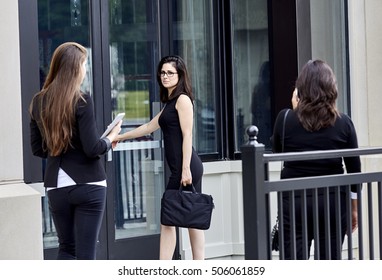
pixel 176 122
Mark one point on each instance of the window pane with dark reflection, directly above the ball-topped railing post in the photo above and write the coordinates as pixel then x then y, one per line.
pixel 251 69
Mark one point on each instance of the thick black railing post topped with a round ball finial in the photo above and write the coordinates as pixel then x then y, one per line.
pixel 256 240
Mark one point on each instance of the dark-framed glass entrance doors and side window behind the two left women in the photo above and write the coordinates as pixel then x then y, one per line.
pixel 125 40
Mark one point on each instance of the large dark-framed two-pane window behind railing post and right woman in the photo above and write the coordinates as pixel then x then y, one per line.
pixel 321 34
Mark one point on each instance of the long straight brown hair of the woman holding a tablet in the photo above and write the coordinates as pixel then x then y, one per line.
pixel 58 99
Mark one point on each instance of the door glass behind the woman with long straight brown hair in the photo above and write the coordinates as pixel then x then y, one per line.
pixel 59 22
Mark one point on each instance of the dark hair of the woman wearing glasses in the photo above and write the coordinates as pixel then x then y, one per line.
pixel 184 83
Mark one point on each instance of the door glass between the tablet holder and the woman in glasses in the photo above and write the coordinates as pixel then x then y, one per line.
pixel 138 163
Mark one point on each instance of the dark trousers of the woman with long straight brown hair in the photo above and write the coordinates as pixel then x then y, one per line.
pixel 77 213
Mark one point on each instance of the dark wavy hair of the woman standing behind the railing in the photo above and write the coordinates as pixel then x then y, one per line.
pixel 317 92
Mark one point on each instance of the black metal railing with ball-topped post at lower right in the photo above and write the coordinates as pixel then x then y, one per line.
pixel 257 188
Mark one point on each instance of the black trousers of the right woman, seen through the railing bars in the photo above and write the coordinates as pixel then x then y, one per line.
pixel 322 236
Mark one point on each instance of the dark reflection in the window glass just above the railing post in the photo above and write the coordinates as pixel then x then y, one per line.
pixel 261 106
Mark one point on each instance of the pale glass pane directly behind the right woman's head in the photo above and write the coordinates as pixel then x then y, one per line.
pixel 328 31
